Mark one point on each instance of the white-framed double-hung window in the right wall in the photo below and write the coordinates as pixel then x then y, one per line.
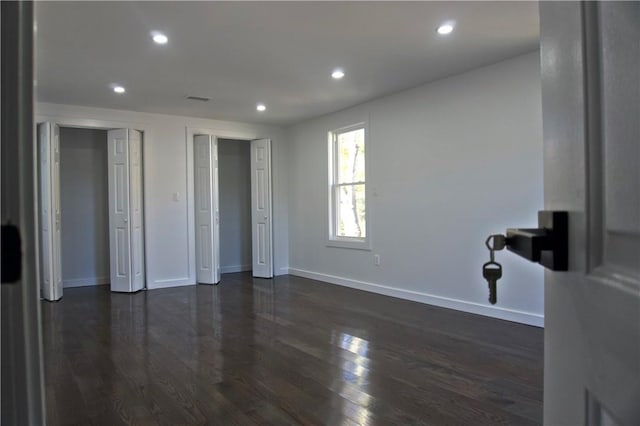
pixel 347 183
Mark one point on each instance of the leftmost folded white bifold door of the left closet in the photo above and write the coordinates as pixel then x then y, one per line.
pixel 49 201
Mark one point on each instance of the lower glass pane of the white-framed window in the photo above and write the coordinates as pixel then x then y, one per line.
pixel 351 220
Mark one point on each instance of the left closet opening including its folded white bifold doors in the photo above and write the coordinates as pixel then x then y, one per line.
pixel 90 202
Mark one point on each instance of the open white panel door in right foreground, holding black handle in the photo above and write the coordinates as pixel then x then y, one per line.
pixel 591 113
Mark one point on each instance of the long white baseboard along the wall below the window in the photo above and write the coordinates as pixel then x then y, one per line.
pixel 430 299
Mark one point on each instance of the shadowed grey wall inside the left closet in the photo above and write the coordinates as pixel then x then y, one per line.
pixel 84 203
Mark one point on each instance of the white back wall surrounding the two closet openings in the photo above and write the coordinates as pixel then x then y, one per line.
pixel 168 173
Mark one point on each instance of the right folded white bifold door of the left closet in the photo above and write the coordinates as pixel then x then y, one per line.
pixel 126 238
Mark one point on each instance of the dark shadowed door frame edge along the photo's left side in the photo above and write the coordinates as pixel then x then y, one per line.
pixel 22 386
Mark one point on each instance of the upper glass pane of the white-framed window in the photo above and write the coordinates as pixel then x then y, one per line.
pixel 350 156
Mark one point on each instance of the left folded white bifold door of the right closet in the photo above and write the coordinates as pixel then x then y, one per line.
pixel 205 151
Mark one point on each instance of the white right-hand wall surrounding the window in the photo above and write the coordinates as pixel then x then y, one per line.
pixel 450 163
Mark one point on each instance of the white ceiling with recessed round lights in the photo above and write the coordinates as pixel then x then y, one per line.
pixel 279 53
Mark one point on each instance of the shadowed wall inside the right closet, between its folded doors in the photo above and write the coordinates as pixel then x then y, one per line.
pixel 234 177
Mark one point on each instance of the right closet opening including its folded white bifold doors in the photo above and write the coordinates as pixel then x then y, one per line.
pixel 232 206
